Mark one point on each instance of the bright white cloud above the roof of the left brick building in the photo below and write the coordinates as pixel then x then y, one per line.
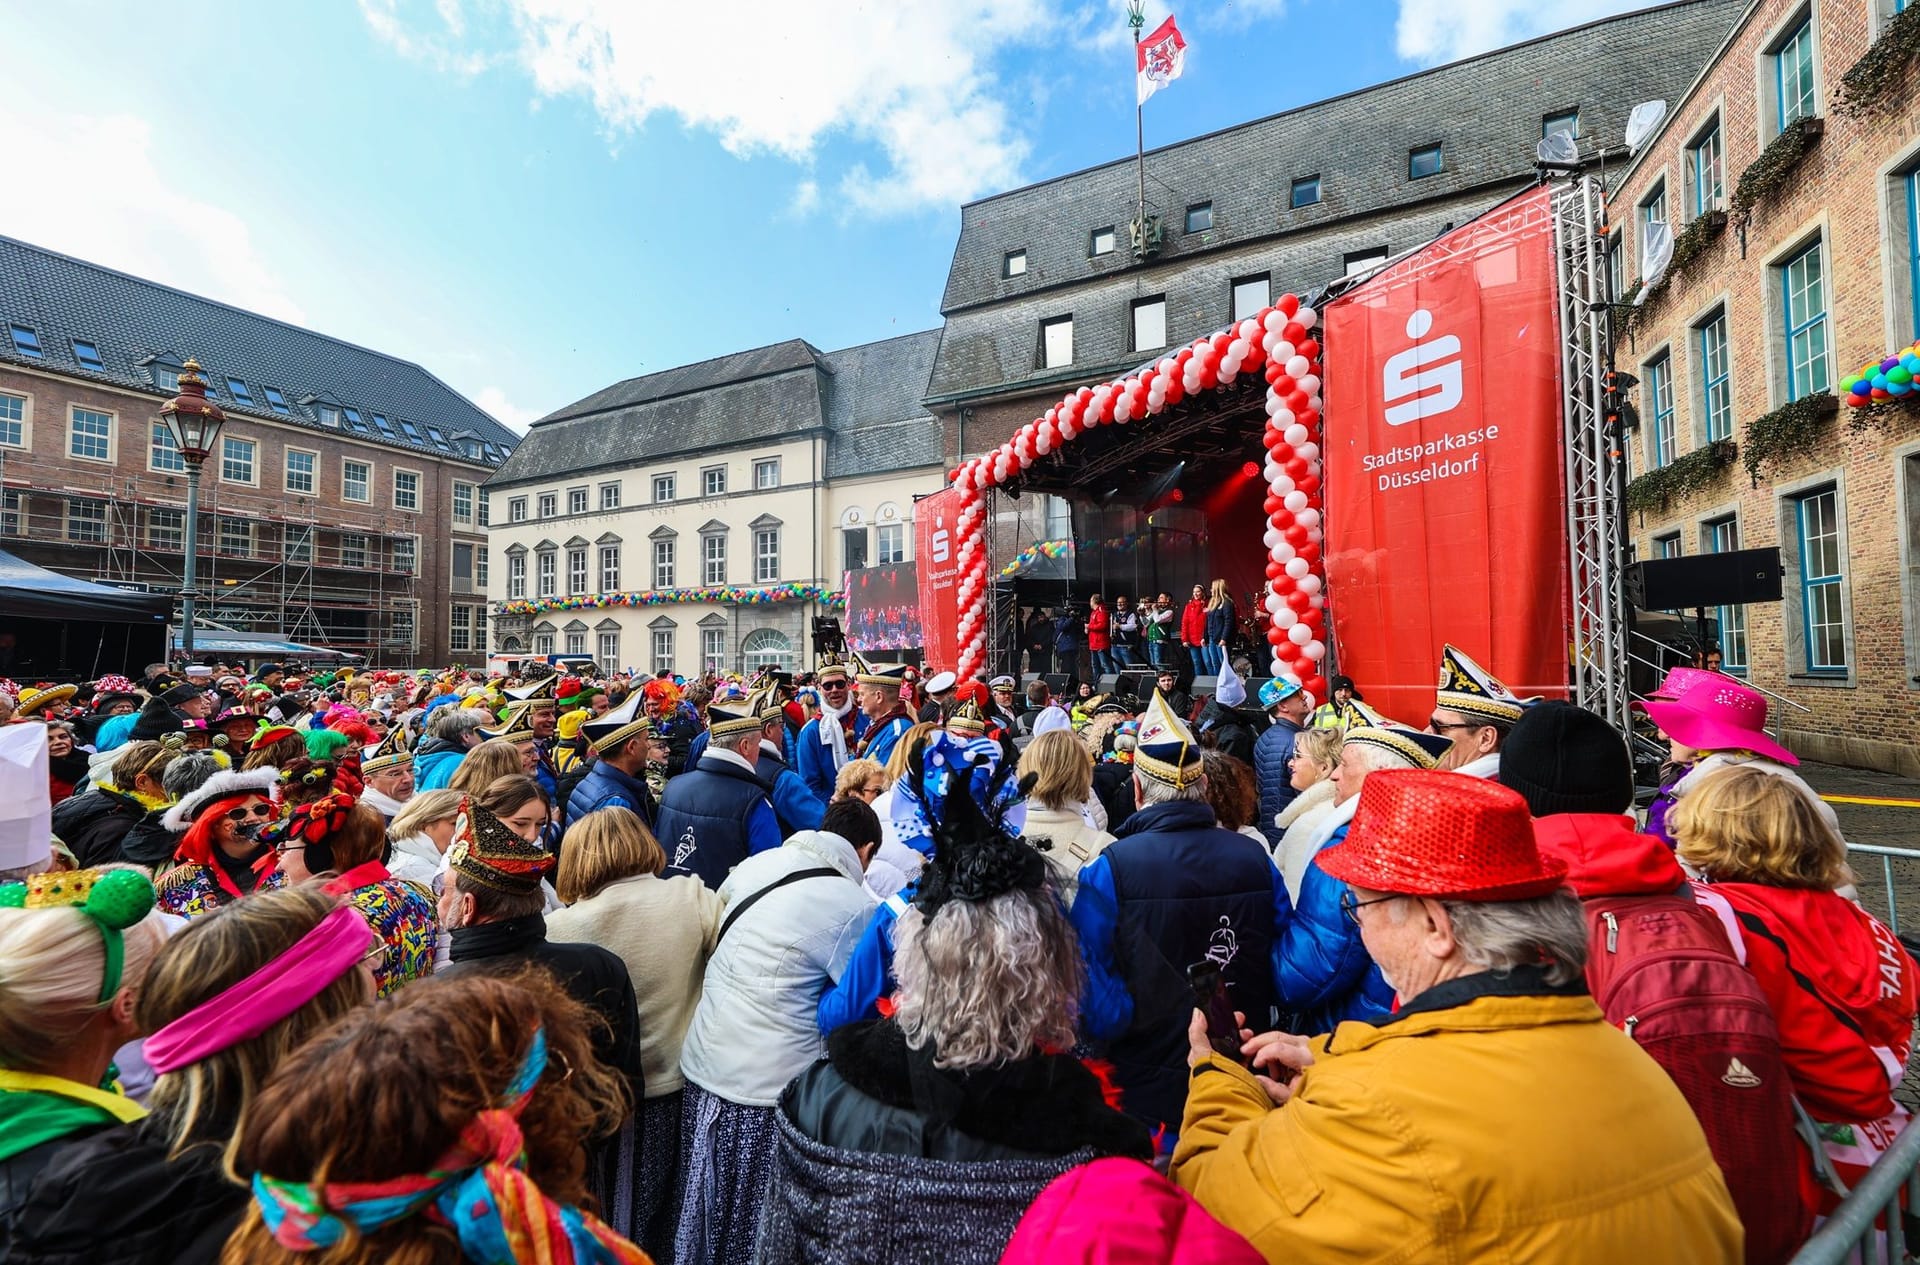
pixel 143 220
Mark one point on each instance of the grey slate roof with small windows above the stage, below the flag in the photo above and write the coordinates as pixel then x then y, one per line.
pixel 1485 112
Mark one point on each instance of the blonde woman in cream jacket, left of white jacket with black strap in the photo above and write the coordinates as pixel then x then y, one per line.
pixel 663 930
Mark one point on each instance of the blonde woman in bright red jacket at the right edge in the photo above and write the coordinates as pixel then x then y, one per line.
pixel 1840 986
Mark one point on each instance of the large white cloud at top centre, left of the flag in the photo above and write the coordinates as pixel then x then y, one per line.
pixel 909 78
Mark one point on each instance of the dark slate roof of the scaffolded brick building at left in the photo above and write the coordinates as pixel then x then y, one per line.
pixel 132 320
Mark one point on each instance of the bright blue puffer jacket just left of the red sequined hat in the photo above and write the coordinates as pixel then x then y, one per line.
pixel 1320 963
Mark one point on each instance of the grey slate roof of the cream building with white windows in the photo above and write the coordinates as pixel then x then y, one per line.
pixel 867 396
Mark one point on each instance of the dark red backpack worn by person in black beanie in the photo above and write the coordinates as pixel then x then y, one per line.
pixel 1664 972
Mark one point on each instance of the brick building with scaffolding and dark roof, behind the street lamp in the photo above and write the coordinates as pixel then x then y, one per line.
pixel 343 510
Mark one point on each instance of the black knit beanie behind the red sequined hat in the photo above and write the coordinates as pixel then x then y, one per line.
pixel 1566 759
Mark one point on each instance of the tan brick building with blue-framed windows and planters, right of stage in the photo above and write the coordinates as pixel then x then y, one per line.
pixel 1796 224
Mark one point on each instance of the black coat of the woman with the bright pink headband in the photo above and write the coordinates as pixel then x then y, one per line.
pixel 116 1197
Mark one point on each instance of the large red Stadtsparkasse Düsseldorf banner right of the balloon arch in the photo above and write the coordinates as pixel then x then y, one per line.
pixel 1445 465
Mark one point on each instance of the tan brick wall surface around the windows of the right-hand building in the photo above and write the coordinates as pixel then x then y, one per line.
pixel 1846 195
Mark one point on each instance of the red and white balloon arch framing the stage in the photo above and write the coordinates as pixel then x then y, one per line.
pixel 1280 343
